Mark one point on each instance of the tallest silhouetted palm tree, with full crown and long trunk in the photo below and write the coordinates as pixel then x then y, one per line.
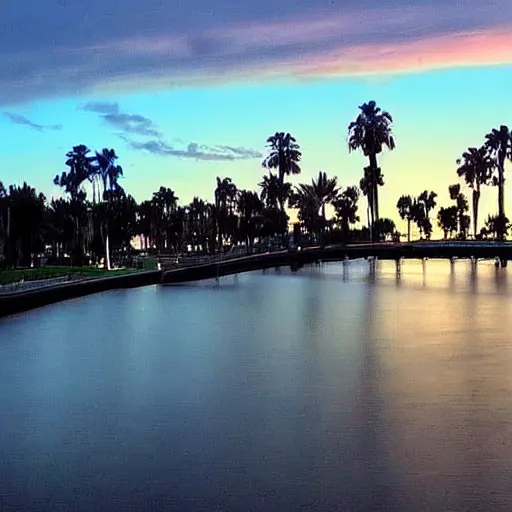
pixel 370 132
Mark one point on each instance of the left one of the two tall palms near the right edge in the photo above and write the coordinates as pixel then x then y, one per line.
pixel 475 166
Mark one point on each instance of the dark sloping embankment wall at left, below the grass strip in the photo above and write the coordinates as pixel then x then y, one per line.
pixel 18 302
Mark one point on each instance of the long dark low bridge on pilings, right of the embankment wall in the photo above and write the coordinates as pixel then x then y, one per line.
pixel 216 267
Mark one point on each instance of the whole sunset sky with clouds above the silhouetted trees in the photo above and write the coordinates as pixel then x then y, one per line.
pixel 187 90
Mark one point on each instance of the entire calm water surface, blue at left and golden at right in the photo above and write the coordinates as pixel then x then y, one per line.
pixel 341 387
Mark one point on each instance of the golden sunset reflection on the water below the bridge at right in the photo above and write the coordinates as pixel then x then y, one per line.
pixel 440 332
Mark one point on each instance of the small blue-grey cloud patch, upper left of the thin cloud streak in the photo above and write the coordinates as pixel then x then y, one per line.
pixel 128 123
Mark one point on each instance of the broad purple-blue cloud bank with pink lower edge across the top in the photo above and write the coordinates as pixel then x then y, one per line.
pixel 152 45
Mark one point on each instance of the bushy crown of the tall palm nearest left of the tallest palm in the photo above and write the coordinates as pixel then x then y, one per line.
pixel 284 155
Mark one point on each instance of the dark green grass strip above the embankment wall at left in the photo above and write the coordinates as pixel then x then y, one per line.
pixel 51 272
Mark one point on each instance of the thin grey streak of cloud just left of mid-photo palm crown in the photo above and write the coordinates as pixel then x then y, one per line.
pixel 193 150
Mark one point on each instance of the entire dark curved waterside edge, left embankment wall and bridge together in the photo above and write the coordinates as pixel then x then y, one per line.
pixel 19 302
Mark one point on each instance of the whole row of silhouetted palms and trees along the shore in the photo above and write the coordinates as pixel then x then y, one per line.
pixel 93 228
